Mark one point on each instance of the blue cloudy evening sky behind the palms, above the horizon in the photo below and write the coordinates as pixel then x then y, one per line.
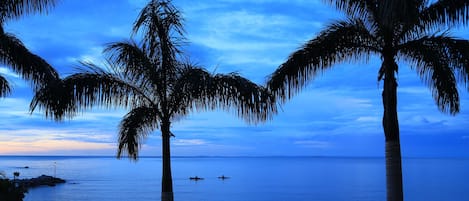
pixel 338 114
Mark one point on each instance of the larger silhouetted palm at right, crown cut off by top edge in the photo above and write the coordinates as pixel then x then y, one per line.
pixel 412 30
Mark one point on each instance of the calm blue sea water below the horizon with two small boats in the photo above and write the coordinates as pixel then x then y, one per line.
pixel 251 179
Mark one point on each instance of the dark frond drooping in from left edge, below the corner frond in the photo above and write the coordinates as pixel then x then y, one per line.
pixel 28 65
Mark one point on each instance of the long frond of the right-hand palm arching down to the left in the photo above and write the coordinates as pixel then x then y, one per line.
pixel 341 41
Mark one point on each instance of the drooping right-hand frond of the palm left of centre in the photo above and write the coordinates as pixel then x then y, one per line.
pixel 198 89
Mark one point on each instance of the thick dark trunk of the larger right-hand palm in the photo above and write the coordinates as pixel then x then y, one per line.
pixel 394 186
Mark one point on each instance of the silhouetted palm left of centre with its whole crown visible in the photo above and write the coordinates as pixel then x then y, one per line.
pixel 153 81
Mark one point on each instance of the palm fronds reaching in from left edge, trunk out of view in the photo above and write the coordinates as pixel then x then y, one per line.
pixel 14 54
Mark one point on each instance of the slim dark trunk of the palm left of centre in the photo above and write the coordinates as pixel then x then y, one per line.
pixel 167 179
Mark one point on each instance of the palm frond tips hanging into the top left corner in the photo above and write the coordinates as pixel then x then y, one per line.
pixel 13 9
